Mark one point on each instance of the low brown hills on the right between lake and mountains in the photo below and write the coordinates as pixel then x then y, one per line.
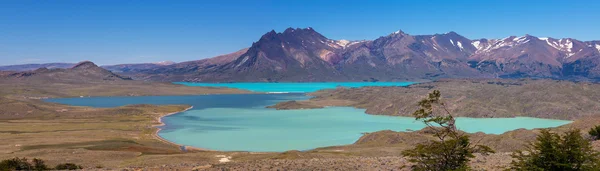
pixel 471 98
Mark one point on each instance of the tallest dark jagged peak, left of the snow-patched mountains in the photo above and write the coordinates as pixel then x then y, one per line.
pixel 294 55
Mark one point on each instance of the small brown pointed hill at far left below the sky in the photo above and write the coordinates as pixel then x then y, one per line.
pixel 83 72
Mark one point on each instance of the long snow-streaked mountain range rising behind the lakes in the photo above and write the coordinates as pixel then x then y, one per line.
pixel 303 54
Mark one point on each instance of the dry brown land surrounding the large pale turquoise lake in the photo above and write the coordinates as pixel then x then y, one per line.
pixel 123 137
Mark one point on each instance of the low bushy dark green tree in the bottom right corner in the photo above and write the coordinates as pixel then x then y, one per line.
pixel 552 152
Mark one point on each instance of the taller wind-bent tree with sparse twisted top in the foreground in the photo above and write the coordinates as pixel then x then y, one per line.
pixel 452 150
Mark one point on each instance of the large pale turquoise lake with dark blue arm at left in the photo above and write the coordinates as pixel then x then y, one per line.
pixel 240 122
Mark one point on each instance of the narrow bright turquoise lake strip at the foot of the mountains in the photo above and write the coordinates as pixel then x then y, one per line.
pixel 294 87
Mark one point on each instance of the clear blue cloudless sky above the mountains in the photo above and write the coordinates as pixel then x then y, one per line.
pixel 115 31
